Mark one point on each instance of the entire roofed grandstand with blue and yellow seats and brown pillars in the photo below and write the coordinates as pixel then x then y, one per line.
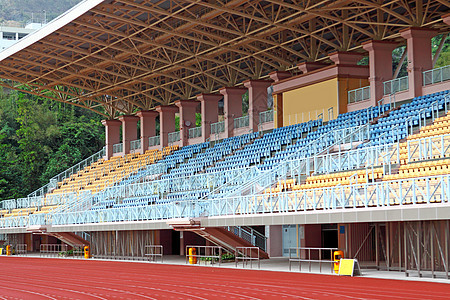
pixel 335 150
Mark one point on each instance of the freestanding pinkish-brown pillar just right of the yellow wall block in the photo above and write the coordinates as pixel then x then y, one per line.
pixel 380 67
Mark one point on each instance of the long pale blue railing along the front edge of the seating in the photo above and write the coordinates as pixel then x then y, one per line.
pixel 428 191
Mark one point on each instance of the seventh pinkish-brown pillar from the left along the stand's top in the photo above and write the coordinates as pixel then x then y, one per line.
pixel 232 106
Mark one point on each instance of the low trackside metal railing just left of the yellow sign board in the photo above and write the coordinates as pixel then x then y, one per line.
pixel 311 256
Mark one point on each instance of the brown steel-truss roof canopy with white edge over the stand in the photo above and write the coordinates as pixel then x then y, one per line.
pixel 120 56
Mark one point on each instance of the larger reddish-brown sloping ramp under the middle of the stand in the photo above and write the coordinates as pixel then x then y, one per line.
pixel 219 236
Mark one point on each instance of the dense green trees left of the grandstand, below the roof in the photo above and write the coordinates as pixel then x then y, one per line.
pixel 40 138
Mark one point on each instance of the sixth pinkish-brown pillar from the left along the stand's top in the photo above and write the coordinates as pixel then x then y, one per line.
pixel 210 112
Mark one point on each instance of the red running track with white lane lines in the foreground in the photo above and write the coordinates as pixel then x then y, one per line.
pixel 36 278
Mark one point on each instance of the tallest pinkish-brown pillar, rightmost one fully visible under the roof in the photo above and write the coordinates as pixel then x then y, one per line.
pixel 418 45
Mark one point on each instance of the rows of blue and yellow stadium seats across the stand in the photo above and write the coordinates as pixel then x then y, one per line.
pixel 266 151
